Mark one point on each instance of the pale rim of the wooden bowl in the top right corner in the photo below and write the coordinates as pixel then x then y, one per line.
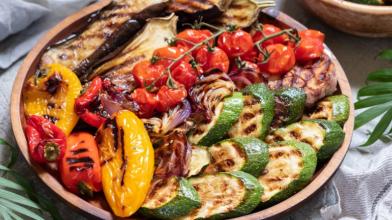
pixel 361 8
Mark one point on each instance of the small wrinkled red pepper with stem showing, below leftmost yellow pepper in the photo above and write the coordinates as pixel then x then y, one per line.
pixel 46 141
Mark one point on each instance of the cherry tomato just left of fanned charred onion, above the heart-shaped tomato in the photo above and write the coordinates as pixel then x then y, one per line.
pixel 185 74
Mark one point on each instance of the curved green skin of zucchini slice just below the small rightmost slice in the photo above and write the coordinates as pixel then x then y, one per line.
pixel 333 139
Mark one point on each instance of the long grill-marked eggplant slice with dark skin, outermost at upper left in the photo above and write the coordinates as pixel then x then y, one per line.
pixel 109 29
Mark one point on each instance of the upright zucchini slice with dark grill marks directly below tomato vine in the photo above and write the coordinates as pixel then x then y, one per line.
pixel 257 114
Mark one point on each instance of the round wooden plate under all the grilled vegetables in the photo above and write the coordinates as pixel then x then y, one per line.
pixel 98 207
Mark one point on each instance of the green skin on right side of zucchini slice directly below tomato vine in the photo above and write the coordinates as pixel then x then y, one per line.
pixel 266 98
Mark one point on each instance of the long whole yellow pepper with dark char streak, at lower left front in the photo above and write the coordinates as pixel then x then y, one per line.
pixel 127 162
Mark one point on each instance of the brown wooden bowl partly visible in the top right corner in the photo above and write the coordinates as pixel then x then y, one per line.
pixel 353 18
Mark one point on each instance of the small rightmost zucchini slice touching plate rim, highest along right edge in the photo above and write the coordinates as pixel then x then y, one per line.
pixel 333 108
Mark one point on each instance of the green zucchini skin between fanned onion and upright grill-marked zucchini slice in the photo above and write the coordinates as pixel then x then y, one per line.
pixel 232 107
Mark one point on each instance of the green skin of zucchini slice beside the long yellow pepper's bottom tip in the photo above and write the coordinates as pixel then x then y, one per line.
pixel 183 203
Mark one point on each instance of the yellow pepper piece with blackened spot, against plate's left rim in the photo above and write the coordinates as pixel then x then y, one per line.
pixel 52 95
